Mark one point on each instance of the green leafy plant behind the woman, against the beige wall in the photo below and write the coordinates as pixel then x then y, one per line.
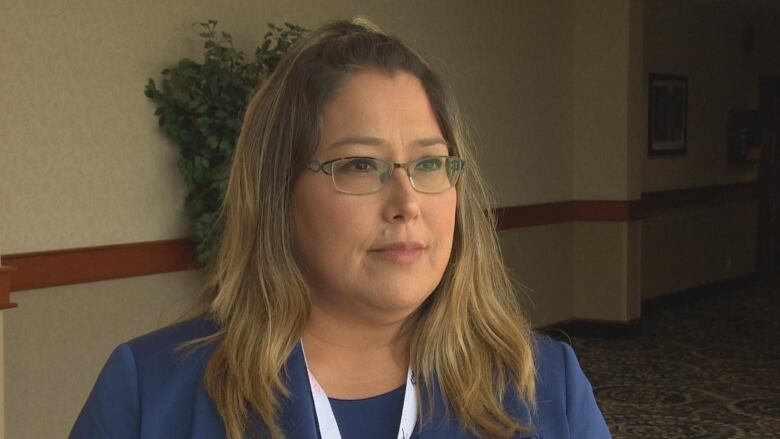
pixel 200 107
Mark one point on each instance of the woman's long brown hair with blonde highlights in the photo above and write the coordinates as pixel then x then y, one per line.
pixel 470 336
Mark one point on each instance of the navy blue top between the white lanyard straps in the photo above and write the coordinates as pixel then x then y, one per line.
pixel 377 417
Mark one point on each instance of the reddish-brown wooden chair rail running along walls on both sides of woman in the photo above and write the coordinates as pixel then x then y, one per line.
pixel 88 264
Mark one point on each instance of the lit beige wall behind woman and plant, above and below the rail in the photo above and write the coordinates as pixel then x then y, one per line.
pixel 550 88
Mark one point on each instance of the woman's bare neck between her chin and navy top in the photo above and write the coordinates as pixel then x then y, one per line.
pixel 354 360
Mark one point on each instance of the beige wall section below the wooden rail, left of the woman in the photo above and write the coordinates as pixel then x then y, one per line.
pixel 58 339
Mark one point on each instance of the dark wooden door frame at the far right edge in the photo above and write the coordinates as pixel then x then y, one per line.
pixel 768 230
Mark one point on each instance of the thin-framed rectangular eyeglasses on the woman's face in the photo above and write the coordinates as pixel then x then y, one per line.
pixel 366 175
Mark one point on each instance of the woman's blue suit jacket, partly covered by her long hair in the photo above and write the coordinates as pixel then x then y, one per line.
pixel 147 391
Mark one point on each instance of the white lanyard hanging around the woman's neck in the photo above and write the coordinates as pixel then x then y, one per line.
pixel 329 429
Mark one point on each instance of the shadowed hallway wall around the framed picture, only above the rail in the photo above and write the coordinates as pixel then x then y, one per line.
pixel 697 39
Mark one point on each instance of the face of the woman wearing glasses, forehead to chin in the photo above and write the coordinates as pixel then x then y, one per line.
pixel 343 239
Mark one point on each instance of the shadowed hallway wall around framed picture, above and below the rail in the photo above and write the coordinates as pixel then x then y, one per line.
pixel 685 248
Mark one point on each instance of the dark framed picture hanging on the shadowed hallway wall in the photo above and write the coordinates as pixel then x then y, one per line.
pixel 668 127
